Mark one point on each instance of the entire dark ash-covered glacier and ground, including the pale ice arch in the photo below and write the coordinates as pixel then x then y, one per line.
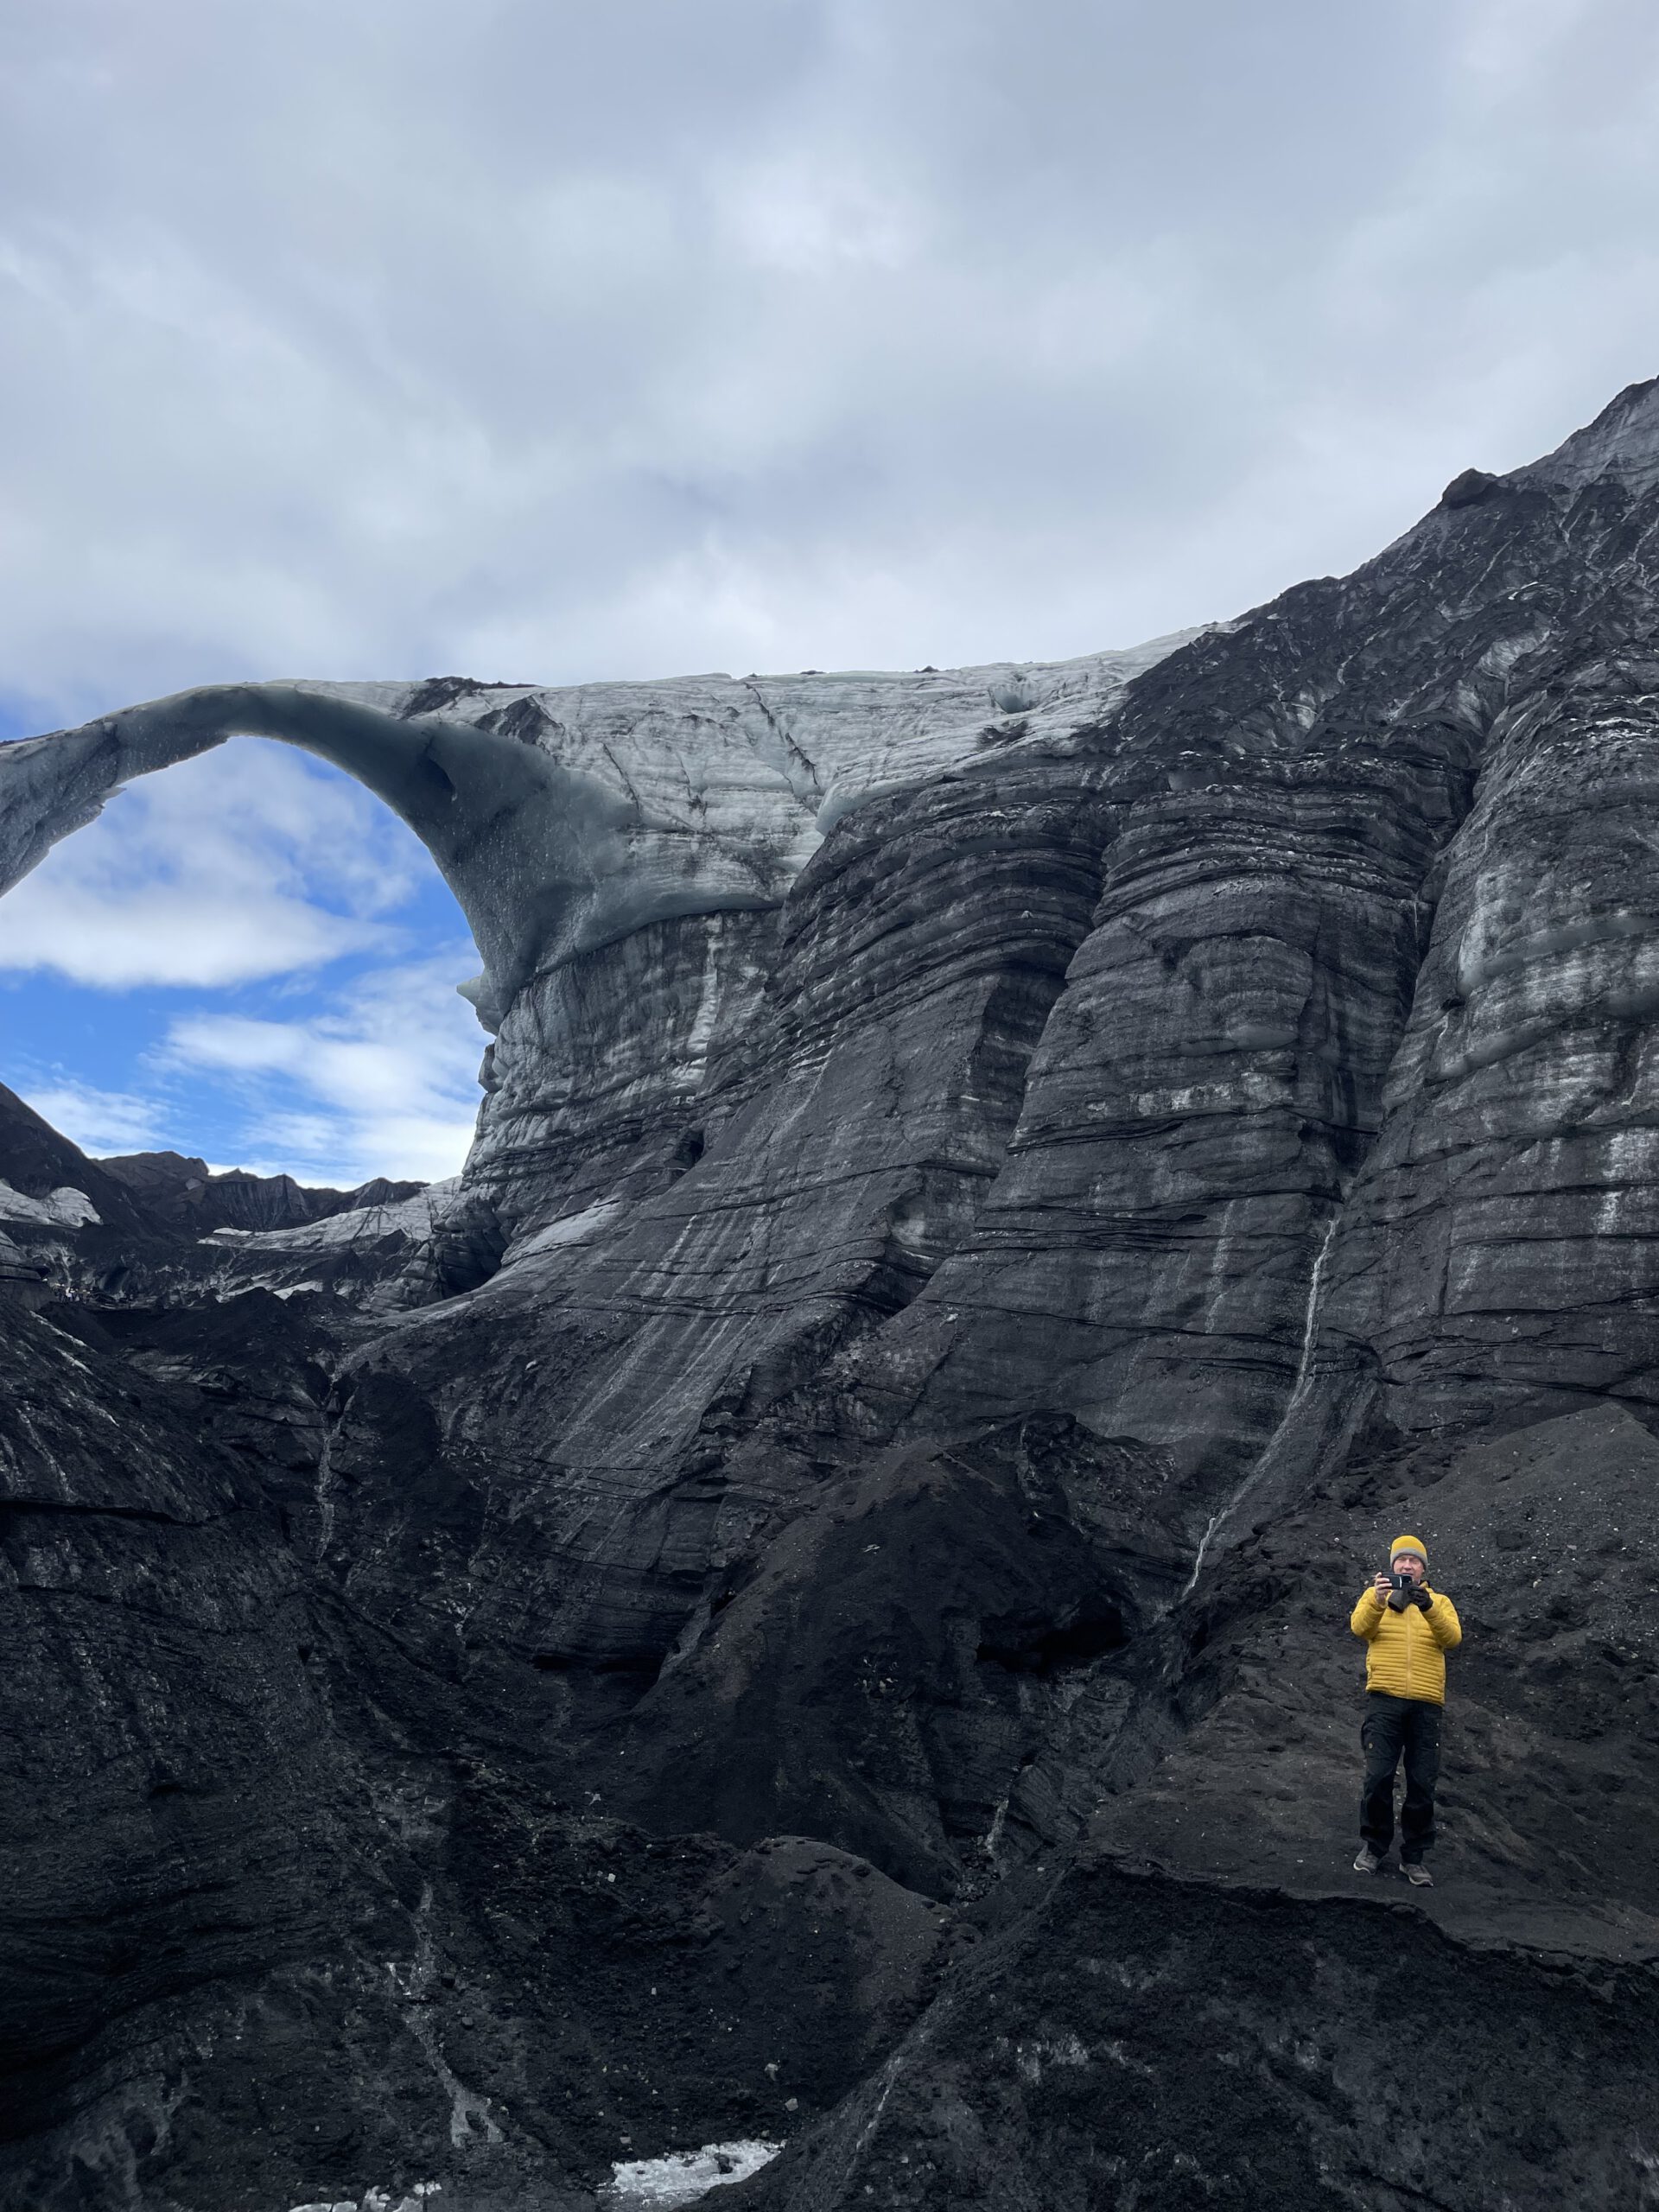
pixel 806 1596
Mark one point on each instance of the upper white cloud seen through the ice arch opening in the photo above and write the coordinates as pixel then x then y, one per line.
pixel 244 864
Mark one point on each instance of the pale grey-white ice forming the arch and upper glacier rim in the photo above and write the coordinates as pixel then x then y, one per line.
pixel 565 820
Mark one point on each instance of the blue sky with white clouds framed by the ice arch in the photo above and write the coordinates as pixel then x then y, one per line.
pixel 247 959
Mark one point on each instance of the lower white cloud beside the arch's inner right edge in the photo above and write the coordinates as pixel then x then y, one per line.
pixel 379 1083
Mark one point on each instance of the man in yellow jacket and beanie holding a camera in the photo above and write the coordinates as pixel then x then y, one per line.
pixel 1408 1634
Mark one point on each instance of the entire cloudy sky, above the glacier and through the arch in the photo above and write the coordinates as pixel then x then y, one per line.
pixel 547 342
